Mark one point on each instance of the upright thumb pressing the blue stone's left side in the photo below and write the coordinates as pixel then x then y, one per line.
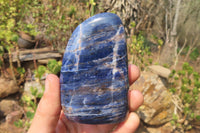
pixel 48 111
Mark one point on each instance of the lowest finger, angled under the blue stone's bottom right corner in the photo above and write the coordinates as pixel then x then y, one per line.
pixel 129 125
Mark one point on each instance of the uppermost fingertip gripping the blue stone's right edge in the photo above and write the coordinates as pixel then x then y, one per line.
pixel 133 73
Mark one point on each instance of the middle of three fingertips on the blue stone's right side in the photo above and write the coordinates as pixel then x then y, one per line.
pixel 135 99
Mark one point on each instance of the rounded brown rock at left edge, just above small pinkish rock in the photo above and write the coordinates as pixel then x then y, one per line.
pixel 9 105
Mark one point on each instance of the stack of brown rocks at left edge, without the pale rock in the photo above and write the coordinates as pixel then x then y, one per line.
pixel 10 110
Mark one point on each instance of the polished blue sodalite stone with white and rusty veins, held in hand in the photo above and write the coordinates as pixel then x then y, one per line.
pixel 94 73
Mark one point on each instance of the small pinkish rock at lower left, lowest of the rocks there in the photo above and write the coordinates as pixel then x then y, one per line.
pixel 14 116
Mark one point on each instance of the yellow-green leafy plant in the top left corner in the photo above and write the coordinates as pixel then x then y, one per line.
pixel 11 22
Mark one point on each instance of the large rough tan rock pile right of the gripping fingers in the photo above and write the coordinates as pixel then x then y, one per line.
pixel 159 105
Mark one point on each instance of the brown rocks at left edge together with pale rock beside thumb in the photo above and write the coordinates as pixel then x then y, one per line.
pixel 10 109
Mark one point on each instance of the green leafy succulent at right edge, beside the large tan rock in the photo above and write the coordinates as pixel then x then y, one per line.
pixel 186 84
